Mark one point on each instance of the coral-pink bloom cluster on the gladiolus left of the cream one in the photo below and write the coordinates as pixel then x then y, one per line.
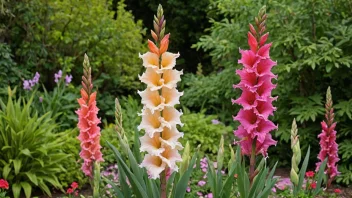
pixel 89 131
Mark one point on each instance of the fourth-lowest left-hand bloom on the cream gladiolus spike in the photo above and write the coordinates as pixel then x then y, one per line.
pixel 151 99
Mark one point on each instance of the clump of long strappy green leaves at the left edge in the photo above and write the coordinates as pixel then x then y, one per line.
pixel 31 152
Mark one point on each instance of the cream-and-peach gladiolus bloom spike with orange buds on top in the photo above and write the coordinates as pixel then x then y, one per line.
pixel 159 117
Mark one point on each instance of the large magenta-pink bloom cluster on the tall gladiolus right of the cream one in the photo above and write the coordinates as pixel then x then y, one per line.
pixel 256 100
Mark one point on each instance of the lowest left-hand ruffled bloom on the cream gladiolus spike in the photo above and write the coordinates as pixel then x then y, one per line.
pixel 154 165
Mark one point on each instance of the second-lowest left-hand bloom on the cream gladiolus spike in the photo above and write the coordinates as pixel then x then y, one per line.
pixel 151 145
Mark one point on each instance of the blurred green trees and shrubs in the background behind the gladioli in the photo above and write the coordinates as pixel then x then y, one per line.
pixel 311 44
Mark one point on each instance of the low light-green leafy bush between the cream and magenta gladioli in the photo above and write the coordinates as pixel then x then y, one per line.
pixel 199 129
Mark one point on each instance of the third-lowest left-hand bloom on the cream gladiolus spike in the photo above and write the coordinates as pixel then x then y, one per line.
pixel 151 122
